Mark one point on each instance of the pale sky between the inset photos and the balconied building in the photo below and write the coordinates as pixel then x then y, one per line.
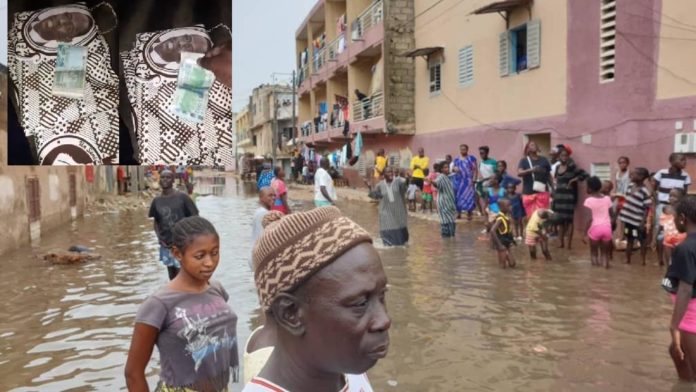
pixel 263 34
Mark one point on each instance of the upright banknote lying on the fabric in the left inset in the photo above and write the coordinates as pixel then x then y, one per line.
pixel 69 76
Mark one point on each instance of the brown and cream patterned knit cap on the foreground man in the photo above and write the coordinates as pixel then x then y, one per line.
pixel 294 247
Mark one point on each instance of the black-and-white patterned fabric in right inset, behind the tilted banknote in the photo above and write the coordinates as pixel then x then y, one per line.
pixel 151 79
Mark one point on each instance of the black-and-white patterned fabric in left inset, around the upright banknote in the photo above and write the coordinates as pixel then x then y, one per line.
pixel 66 130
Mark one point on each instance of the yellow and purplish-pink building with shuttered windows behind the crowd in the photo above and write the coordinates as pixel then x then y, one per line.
pixel 607 77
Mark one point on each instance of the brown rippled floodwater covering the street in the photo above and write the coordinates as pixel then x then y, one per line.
pixel 460 323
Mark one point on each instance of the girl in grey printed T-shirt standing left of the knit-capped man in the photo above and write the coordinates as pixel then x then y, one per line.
pixel 188 319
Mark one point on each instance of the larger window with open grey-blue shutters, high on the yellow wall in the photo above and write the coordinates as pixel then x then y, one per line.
pixel 520 48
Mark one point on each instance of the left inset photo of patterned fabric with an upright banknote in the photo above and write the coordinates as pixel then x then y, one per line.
pixel 63 84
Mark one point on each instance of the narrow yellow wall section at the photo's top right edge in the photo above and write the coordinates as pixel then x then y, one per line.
pixel 677 52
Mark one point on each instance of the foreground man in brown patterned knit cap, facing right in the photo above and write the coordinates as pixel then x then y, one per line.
pixel 322 286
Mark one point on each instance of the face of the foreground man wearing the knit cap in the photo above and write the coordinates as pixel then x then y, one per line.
pixel 346 320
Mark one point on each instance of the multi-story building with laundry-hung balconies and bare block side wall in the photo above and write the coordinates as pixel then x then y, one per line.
pixel 344 50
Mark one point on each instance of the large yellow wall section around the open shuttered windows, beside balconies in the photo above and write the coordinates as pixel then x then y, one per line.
pixel 538 92
